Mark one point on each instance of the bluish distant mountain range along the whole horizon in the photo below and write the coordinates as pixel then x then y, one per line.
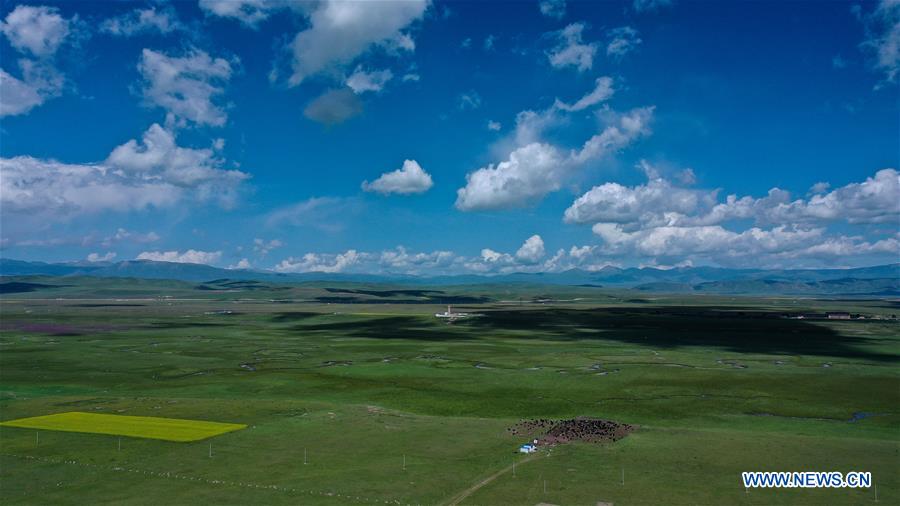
pixel 881 280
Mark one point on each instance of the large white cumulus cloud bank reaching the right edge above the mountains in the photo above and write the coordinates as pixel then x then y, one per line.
pixel 660 222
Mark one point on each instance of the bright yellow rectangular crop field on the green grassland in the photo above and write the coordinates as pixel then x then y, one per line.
pixel 169 429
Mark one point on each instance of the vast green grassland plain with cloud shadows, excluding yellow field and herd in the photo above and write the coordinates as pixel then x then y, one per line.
pixel 356 394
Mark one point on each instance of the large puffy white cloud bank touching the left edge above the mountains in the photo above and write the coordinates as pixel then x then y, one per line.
pixel 152 173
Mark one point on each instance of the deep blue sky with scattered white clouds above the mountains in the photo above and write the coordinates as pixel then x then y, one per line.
pixel 450 137
